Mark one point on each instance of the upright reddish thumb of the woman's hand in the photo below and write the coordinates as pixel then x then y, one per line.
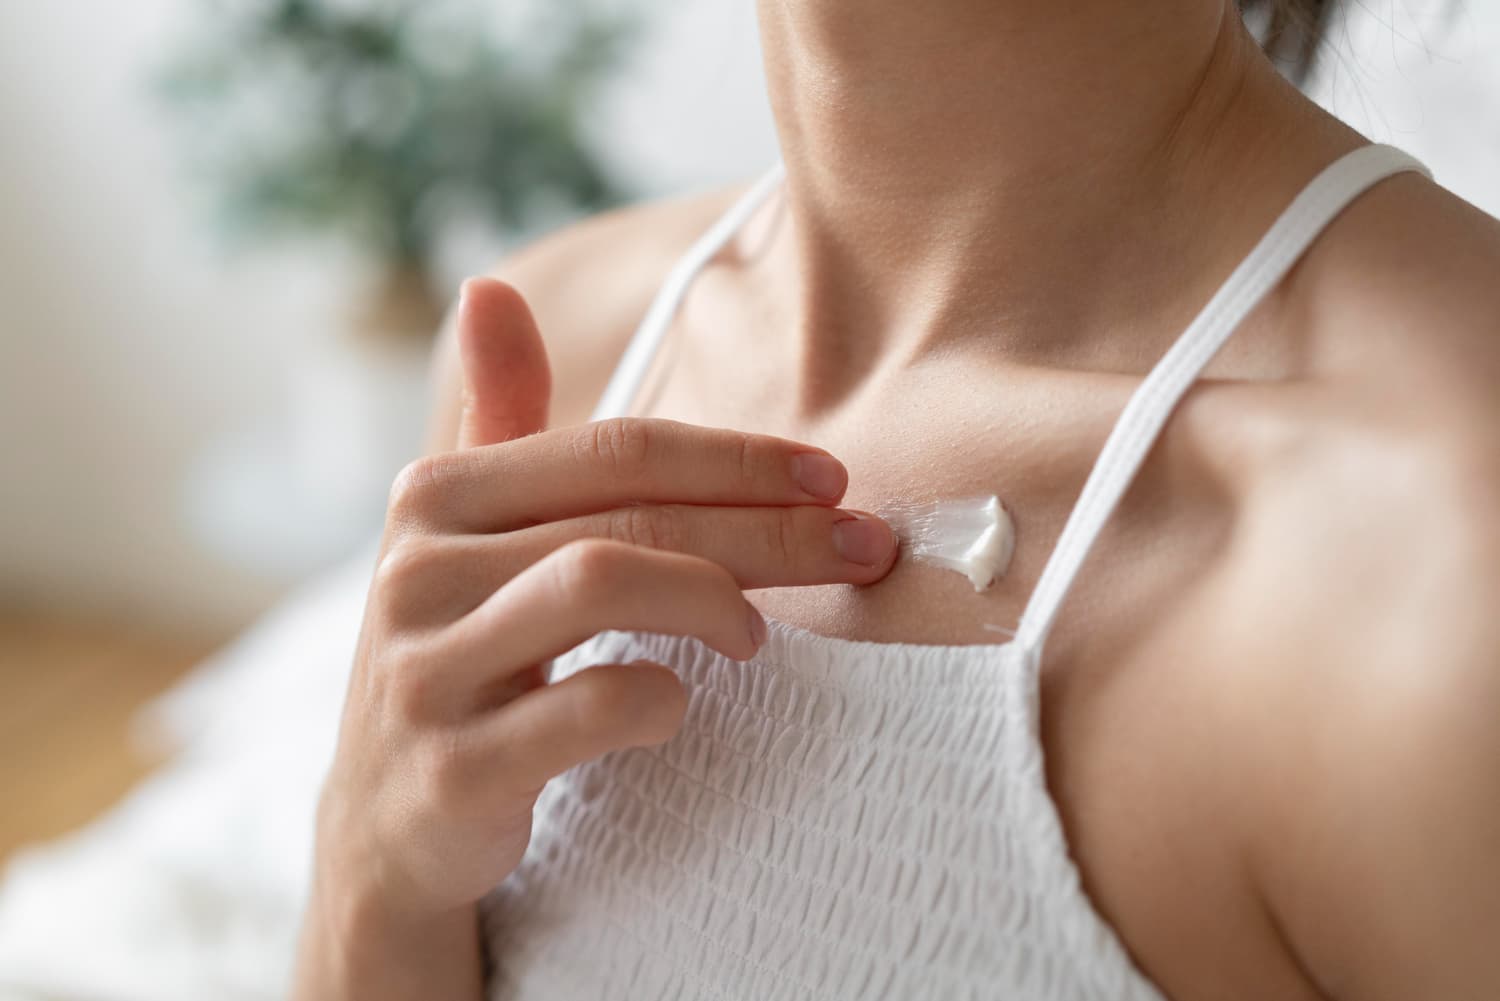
pixel 508 382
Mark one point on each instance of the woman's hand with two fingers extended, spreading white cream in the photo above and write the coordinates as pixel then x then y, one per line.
pixel 499 558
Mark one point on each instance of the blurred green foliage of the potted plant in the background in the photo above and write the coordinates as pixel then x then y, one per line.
pixel 388 121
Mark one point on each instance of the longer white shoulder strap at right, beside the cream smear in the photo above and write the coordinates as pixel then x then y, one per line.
pixel 1156 398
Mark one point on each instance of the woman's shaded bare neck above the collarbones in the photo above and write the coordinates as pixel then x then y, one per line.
pixel 1033 173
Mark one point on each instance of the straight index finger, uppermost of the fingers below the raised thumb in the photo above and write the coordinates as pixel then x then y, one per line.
pixel 610 464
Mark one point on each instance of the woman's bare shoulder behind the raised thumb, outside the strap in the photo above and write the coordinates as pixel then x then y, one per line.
pixel 589 286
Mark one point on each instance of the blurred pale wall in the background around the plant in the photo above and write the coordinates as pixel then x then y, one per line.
pixel 134 352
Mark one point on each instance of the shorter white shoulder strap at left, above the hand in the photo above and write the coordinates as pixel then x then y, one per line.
pixel 647 340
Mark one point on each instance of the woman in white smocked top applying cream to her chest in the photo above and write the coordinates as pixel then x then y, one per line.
pixel 1265 709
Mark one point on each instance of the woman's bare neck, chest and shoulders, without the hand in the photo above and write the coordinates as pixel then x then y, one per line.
pixel 1268 705
